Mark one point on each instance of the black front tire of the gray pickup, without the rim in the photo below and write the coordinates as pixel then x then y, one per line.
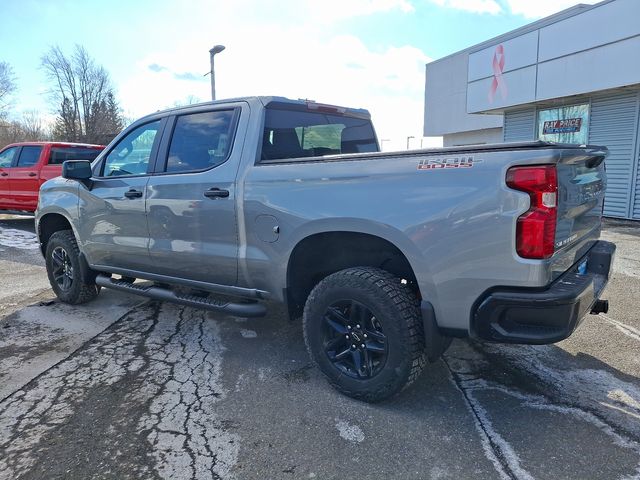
pixel 78 291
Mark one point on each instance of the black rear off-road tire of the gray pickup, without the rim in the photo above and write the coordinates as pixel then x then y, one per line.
pixel 396 308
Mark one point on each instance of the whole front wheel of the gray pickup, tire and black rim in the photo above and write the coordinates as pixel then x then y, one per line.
pixel 63 268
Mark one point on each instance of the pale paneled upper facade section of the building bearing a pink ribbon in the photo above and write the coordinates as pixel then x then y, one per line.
pixel 575 55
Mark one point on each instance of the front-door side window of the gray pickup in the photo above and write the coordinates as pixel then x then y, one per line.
pixel 131 154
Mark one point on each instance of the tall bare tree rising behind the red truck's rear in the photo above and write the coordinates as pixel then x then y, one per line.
pixel 83 93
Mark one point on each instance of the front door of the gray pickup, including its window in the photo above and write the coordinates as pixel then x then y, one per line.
pixel 112 213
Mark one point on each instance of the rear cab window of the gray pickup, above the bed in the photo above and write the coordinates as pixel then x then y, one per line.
pixel 303 131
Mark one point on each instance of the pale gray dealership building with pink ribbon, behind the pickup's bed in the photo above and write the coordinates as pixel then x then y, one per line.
pixel 571 77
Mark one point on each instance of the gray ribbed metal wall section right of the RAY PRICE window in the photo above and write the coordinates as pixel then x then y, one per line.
pixel 614 124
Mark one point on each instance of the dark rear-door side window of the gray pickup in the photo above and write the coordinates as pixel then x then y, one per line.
pixel 200 141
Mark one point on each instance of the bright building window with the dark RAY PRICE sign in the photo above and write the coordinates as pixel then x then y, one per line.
pixel 567 124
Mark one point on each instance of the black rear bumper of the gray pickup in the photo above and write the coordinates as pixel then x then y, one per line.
pixel 549 315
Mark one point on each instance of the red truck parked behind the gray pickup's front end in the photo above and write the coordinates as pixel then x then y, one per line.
pixel 26 166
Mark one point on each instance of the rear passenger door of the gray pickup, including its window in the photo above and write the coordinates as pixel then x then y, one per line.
pixel 191 199
